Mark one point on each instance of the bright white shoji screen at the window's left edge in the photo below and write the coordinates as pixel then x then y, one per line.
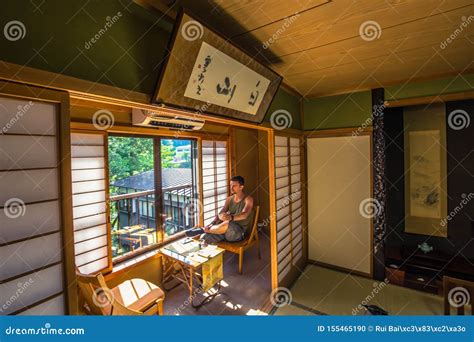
pixel 90 194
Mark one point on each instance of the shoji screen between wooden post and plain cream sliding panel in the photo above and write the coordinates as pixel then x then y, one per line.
pixel 289 204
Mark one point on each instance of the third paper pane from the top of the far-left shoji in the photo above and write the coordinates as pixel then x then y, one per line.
pixel 29 186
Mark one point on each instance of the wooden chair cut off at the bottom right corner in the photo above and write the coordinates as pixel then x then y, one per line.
pixel 463 292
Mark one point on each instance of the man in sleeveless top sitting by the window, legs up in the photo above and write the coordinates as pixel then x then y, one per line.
pixel 234 219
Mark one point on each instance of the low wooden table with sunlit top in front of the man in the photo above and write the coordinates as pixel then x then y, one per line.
pixel 183 260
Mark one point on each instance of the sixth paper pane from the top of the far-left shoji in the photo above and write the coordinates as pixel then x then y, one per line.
pixel 35 287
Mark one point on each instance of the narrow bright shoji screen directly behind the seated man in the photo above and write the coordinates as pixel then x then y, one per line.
pixel 214 177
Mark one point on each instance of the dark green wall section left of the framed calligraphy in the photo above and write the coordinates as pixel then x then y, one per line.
pixel 130 42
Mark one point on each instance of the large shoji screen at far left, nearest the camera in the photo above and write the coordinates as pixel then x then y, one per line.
pixel 32 223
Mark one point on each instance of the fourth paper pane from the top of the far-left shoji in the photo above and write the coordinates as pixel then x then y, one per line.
pixel 38 218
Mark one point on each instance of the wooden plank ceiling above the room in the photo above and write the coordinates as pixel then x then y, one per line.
pixel 318 48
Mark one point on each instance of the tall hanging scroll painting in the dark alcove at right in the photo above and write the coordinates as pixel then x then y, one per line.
pixel 425 170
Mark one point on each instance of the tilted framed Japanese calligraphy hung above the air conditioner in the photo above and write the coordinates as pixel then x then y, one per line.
pixel 206 74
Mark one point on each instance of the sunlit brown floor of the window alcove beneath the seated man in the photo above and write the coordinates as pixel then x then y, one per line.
pixel 242 294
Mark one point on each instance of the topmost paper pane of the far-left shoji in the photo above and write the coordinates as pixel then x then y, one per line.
pixel 27 117
